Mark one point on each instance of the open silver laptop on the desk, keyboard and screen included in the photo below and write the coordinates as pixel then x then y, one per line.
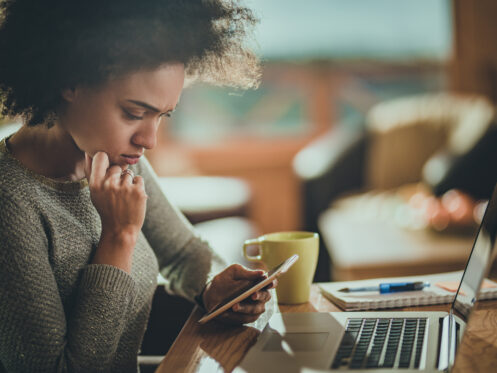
pixel 379 341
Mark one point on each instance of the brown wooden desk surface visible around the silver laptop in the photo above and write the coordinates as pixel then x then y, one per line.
pixel 217 348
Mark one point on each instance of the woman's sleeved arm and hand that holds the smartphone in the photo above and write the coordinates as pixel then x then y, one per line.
pixel 188 263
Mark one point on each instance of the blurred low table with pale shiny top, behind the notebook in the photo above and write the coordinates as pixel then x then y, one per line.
pixel 363 246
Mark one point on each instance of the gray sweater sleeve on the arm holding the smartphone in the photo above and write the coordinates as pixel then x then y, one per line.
pixel 186 261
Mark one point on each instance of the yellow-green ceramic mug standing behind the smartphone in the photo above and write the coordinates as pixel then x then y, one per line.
pixel 294 286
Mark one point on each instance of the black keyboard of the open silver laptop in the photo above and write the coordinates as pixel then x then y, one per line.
pixel 381 343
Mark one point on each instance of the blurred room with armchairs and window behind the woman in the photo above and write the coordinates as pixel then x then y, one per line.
pixel 368 112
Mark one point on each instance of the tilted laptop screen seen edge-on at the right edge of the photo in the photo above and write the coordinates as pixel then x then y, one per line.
pixel 480 259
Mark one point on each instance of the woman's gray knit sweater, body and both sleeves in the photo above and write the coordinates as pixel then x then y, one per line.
pixel 60 313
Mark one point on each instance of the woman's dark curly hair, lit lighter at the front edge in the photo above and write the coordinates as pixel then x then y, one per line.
pixel 51 45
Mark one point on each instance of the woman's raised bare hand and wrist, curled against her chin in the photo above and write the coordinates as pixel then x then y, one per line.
pixel 120 201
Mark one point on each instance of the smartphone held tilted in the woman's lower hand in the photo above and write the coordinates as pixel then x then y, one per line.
pixel 272 274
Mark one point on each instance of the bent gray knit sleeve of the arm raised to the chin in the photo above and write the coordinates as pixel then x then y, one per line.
pixel 36 335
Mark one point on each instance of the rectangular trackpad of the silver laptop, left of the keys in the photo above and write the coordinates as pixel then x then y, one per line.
pixel 296 341
